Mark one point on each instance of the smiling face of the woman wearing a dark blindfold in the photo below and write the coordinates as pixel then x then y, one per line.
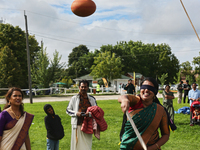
pixel 146 94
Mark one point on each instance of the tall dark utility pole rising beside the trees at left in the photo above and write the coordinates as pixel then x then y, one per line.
pixel 28 60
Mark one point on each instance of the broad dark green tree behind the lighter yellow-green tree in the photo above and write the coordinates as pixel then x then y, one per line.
pixel 147 59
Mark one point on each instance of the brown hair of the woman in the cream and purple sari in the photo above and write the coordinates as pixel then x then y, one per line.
pixel 9 94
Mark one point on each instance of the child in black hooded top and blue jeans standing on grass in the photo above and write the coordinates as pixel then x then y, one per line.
pixel 55 131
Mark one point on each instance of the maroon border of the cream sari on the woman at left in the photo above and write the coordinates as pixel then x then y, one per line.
pixel 24 132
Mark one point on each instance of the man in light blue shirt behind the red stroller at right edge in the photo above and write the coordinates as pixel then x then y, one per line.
pixel 193 95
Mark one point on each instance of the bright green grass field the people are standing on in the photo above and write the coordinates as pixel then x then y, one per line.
pixel 185 137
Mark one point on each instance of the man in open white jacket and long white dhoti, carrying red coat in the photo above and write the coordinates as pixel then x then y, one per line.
pixel 77 108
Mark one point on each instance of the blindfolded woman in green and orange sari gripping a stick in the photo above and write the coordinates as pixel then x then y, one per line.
pixel 148 117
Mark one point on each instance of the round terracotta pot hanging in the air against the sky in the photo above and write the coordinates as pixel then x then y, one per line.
pixel 83 8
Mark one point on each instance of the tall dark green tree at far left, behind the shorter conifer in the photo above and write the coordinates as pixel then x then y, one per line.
pixel 14 38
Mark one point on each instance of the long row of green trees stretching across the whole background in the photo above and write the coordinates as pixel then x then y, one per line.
pixel 109 61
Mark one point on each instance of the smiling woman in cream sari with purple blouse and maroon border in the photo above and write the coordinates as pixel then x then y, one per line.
pixel 14 123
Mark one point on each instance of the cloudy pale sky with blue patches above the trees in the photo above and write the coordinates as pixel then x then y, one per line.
pixel 149 21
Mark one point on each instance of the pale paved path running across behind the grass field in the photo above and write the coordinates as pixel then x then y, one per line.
pixel 52 99
